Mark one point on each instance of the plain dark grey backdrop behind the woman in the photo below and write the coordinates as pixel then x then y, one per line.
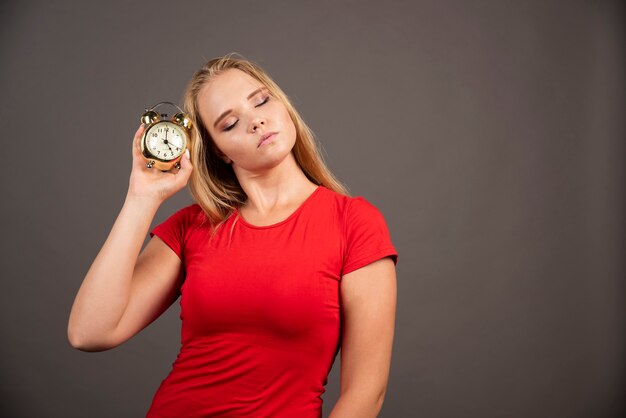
pixel 489 133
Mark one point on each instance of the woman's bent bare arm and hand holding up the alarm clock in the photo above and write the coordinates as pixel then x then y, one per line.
pixel 124 290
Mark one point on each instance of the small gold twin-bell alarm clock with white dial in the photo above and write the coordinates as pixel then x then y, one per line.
pixel 164 141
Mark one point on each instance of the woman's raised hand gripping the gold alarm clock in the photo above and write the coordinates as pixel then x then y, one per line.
pixel 151 183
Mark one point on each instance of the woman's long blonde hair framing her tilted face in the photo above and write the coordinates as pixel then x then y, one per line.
pixel 213 184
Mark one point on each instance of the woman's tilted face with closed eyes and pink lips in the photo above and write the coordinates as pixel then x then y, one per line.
pixel 240 114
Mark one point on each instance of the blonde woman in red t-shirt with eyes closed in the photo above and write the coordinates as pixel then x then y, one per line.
pixel 276 266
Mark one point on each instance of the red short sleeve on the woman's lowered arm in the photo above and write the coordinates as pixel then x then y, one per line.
pixel 367 236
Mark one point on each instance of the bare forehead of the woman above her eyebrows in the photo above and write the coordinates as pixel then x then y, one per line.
pixel 225 91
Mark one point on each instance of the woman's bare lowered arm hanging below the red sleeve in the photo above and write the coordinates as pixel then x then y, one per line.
pixel 368 297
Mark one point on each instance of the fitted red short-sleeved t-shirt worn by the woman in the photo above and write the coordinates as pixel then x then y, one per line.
pixel 260 306
